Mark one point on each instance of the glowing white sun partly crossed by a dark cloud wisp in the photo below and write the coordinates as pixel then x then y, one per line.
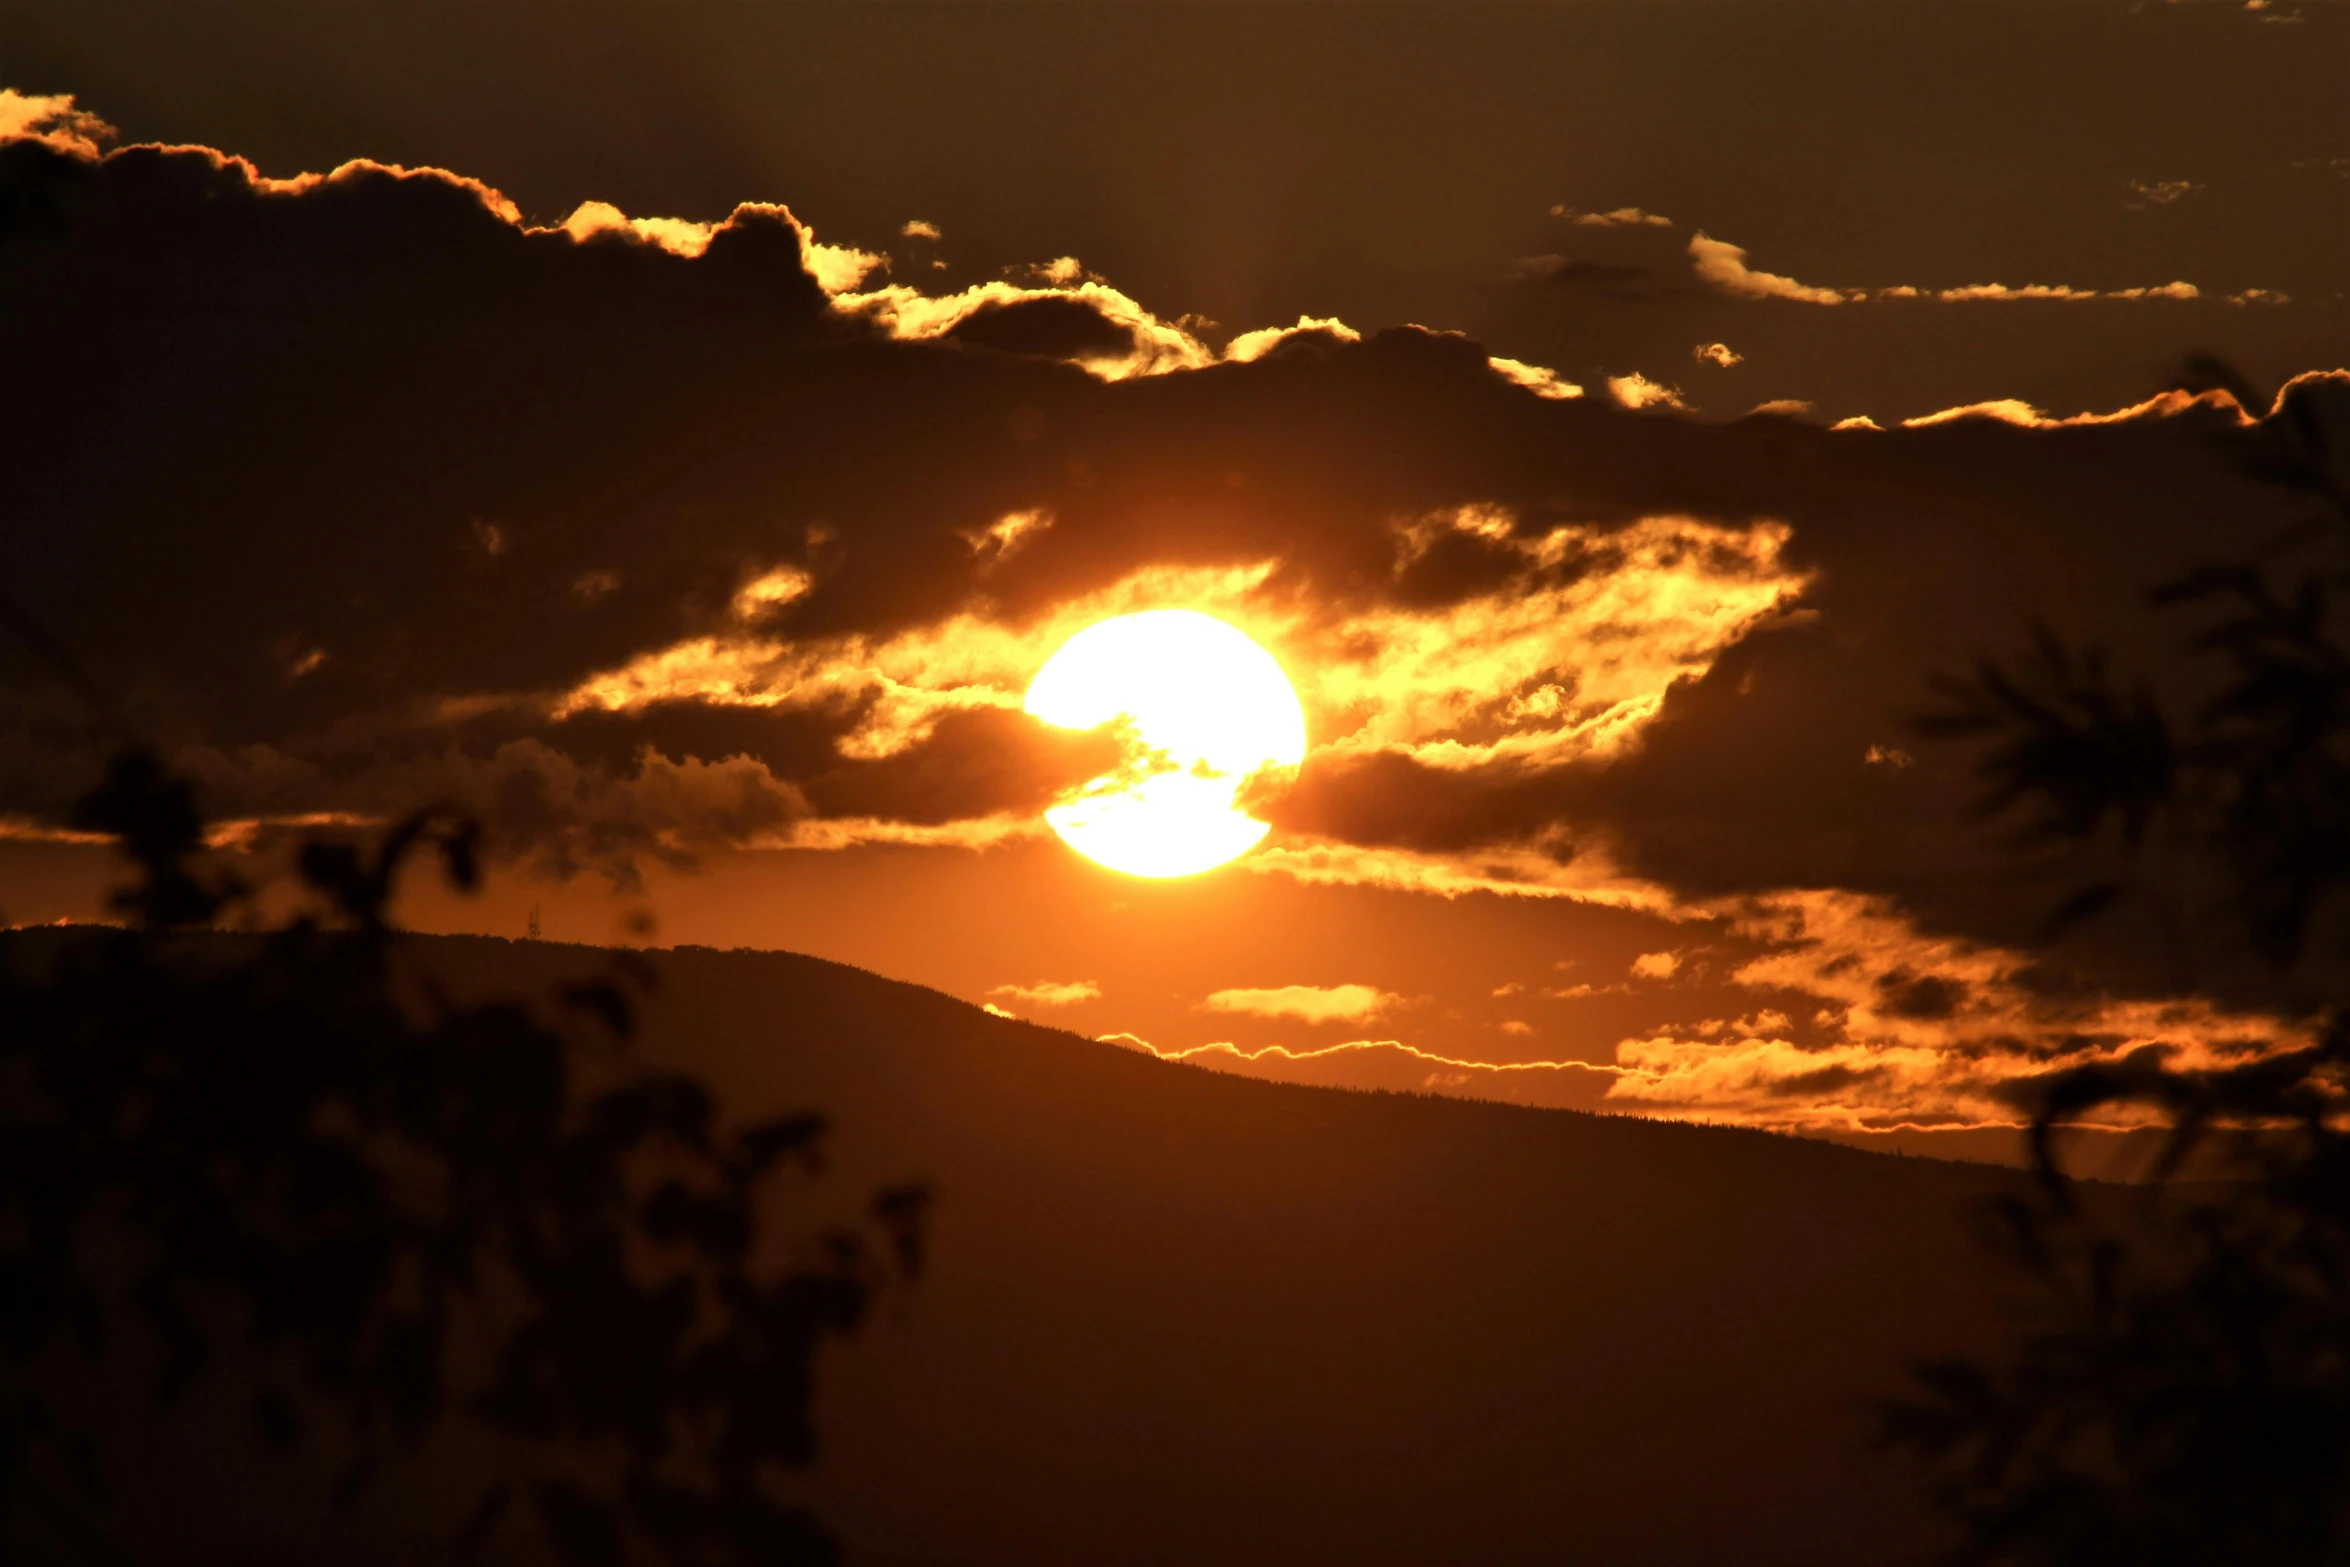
pixel 1209 708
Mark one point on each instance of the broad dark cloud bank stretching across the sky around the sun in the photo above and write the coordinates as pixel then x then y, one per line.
pixel 340 485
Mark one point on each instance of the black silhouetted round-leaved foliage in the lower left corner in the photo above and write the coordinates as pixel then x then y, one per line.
pixel 417 1216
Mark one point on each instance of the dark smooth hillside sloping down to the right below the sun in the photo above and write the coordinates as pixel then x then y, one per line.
pixel 1181 1319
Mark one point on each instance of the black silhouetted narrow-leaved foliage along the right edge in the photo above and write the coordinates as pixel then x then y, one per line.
pixel 2182 1392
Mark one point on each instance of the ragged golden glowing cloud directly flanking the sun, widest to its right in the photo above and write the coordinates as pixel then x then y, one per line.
pixel 1463 664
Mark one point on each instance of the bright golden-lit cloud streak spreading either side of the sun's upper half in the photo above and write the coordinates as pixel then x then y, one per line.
pixel 1564 661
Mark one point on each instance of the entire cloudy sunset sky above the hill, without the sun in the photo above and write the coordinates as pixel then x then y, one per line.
pixel 680 433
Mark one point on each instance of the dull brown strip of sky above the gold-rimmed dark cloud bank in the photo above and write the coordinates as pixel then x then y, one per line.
pixel 1529 173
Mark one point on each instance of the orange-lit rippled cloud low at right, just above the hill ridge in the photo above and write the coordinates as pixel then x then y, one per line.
pixel 1858 1023
